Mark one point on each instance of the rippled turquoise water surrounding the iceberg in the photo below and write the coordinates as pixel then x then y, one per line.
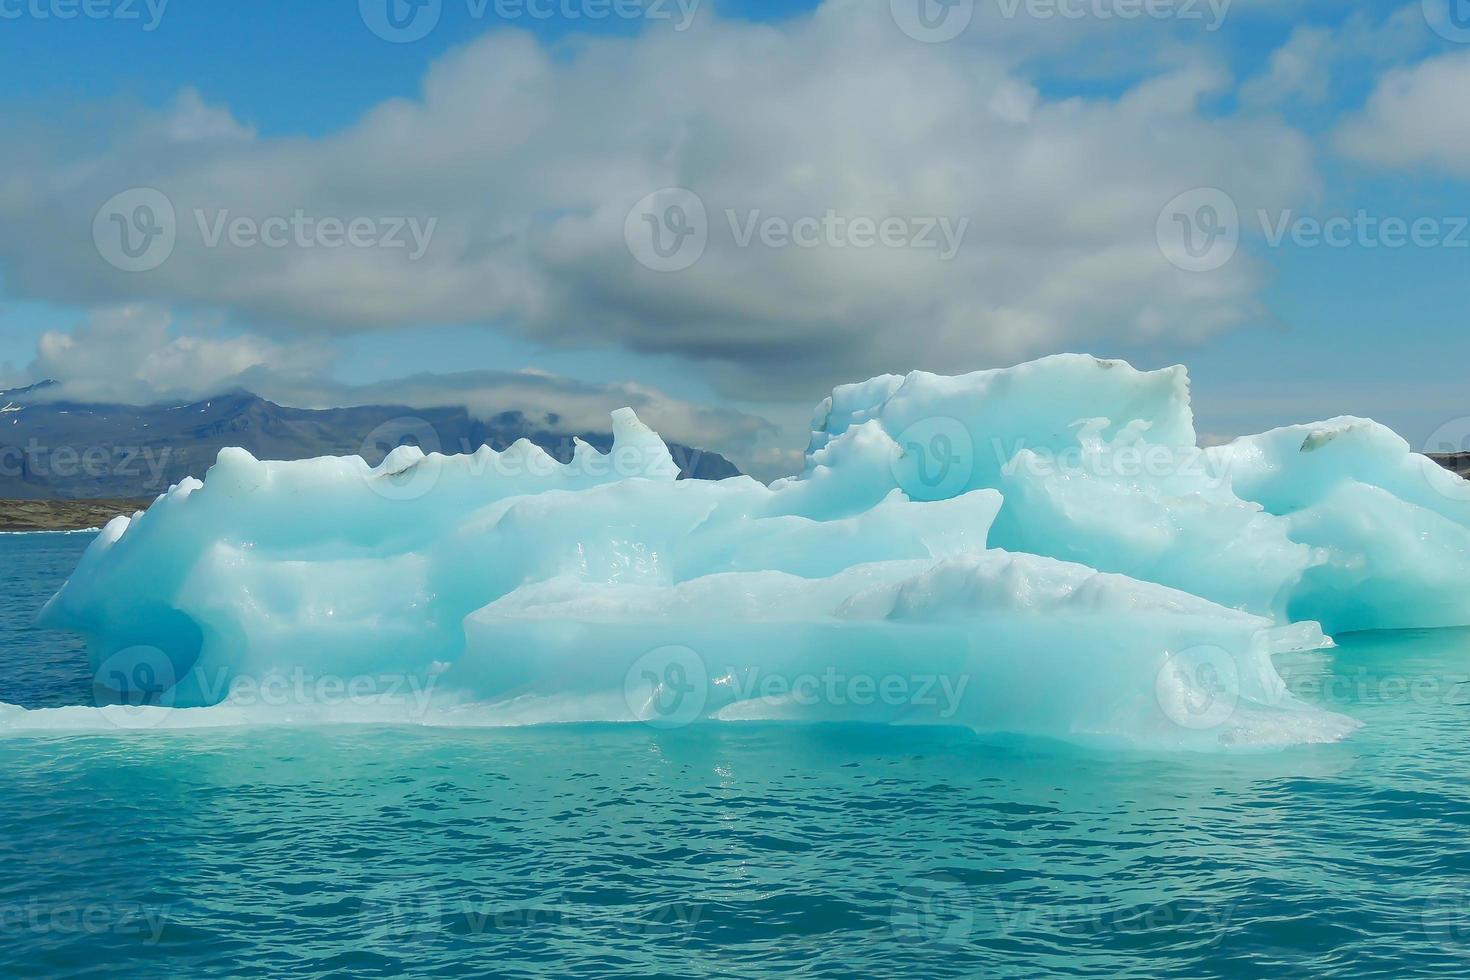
pixel 733 850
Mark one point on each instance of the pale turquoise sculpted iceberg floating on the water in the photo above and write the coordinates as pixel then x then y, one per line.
pixel 1039 550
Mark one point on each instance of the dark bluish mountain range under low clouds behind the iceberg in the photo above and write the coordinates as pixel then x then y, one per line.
pixel 65 450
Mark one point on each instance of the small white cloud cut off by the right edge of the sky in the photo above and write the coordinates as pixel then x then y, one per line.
pixel 1418 117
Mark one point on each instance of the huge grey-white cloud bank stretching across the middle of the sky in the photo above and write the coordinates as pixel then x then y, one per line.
pixel 523 162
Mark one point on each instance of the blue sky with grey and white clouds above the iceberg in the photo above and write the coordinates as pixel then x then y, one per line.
pixel 717 212
